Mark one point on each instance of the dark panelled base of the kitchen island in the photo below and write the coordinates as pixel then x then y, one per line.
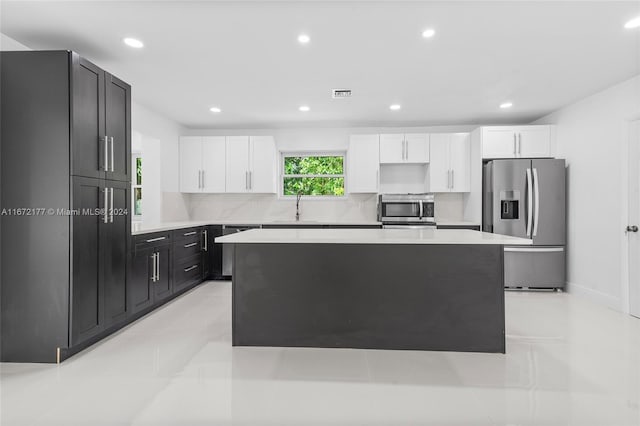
pixel 420 297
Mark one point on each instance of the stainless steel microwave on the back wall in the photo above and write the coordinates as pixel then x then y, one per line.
pixel 406 208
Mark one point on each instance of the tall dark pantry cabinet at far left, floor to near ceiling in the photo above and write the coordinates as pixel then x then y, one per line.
pixel 65 224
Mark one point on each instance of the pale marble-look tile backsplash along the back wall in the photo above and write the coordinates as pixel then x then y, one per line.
pixel 268 207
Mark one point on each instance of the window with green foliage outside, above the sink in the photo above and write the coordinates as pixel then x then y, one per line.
pixel 313 175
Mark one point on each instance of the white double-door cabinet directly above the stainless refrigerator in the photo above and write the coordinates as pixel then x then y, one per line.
pixel 517 142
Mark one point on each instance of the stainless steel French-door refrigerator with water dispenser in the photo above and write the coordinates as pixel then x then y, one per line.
pixel 526 198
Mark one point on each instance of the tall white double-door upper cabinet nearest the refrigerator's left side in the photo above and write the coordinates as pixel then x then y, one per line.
pixel 450 160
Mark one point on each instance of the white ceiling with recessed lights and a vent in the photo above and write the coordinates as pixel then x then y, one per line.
pixel 244 57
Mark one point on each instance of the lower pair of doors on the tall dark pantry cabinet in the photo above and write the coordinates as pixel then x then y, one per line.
pixel 100 235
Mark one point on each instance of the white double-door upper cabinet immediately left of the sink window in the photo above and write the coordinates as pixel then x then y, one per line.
pixel 251 164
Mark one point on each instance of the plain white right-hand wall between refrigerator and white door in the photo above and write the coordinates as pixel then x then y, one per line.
pixel 592 136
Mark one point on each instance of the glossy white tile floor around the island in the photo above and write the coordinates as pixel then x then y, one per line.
pixel 568 361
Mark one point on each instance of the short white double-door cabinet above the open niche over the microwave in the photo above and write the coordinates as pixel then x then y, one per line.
pixel 404 148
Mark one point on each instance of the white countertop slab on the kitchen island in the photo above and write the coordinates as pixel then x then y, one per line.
pixel 370 236
